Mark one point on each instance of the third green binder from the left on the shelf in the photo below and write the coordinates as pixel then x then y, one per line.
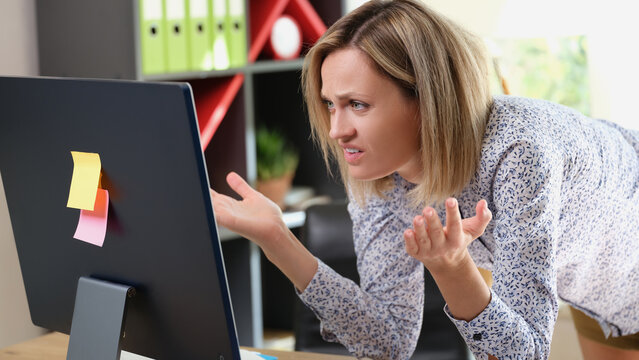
pixel 199 35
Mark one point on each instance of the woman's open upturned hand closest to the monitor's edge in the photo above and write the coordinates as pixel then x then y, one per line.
pixel 255 217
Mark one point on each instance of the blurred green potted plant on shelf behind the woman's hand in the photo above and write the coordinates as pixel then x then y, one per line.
pixel 276 165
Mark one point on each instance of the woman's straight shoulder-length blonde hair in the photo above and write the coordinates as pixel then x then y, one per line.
pixel 439 64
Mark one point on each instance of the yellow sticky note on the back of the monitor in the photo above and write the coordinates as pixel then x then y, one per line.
pixel 84 183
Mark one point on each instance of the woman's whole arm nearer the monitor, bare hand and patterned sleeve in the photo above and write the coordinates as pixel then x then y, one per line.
pixel 381 317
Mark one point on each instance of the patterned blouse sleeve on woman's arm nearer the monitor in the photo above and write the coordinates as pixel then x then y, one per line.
pixel 380 318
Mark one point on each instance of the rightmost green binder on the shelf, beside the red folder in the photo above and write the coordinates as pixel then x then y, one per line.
pixel 236 32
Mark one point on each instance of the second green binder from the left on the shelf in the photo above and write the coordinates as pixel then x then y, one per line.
pixel 177 49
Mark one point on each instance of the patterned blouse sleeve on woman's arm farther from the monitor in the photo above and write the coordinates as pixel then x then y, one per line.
pixel 518 322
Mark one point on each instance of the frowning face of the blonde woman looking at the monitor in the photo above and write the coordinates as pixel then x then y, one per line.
pixel 372 119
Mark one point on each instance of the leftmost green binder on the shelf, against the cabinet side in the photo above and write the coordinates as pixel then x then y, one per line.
pixel 152 37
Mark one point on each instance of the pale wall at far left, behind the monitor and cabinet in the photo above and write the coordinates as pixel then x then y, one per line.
pixel 18 51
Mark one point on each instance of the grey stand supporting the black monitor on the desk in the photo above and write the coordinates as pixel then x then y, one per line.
pixel 98 320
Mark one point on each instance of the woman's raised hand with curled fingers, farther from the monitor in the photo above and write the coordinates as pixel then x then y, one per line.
pixel 441 248
